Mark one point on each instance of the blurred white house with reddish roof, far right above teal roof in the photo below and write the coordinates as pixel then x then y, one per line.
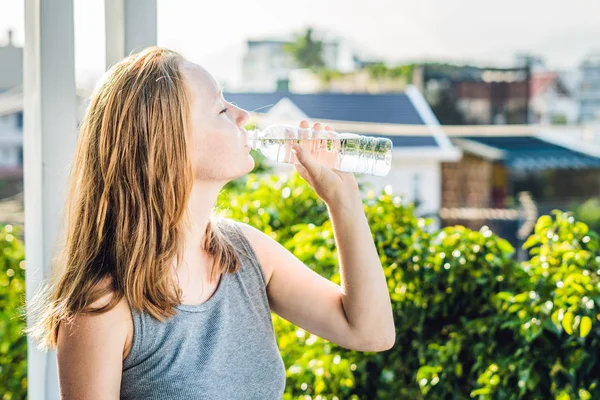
pixel 551 101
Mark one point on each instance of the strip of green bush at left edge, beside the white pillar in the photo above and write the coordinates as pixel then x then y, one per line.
pixel 13 345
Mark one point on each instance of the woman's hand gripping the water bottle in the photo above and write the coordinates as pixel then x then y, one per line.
pixel 333 186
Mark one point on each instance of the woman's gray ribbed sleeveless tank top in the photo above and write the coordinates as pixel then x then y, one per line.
pixel 224 348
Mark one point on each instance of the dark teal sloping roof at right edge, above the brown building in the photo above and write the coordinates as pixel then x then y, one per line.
pixel 529 153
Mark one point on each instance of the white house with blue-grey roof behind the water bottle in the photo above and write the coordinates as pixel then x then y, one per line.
pixel 418 152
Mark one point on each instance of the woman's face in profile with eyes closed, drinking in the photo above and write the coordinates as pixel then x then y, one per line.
pixel 218 140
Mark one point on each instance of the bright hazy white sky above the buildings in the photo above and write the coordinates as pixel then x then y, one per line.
pixel 213 32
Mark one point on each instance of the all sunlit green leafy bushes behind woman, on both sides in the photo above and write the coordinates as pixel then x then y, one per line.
pixel 471 321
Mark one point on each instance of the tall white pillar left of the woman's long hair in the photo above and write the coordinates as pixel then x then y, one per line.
pixel 50 131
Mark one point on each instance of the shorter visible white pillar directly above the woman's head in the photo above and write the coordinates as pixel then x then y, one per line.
pixel 130 27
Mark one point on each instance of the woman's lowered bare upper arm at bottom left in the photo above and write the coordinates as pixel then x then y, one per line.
pixel 90 354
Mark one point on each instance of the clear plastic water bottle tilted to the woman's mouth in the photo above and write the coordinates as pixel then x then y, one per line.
pixel 343 151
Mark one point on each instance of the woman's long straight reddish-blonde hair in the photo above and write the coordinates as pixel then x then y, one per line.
pixel 129 185
